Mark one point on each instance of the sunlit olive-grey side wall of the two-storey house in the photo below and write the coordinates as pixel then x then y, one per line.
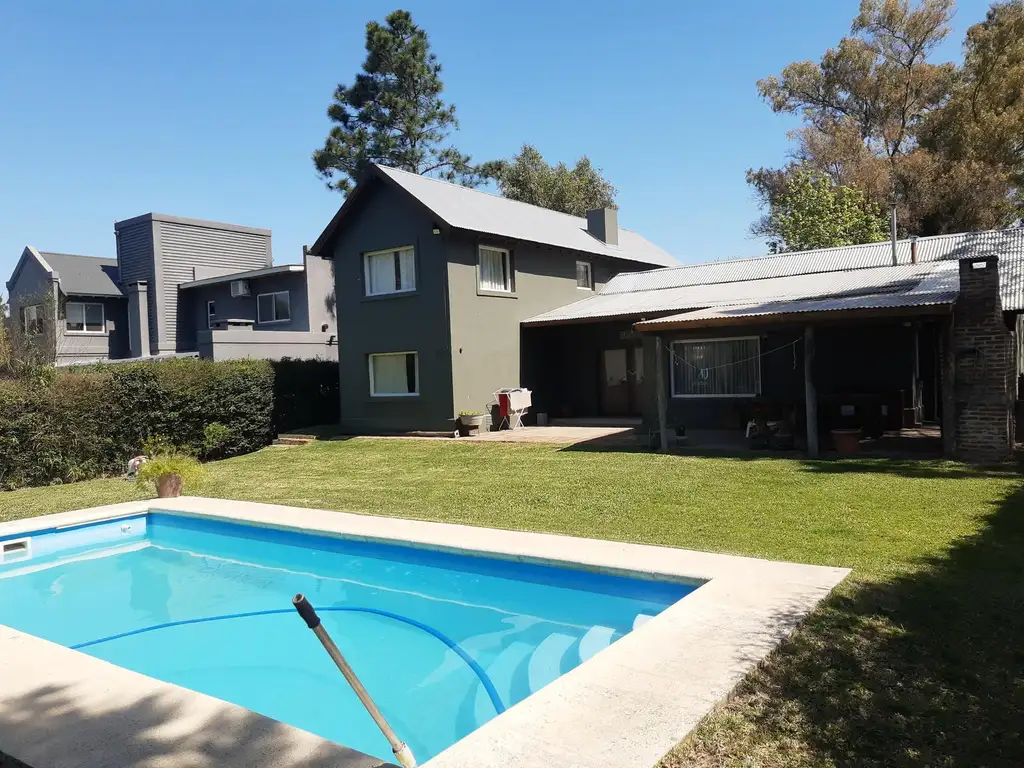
pixel 486 331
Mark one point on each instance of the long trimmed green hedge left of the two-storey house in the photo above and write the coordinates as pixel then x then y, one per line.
pixel 89 421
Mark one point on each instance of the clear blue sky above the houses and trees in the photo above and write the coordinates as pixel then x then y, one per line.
pixel 211 110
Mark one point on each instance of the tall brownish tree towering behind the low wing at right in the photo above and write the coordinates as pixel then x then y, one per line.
pixel 879 117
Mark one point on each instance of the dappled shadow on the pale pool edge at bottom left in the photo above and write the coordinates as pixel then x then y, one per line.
pixel 51 726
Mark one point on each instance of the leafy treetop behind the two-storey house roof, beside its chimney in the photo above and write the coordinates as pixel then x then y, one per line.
pixel 528 178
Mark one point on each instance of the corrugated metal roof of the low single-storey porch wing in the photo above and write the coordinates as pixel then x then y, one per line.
pixel 863 271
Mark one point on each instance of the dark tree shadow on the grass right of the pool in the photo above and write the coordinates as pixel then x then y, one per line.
pixel 926 670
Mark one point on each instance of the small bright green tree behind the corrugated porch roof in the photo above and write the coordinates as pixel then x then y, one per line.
pixel 810 211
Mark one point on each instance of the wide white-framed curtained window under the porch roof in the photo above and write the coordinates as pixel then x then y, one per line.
pixel 720 368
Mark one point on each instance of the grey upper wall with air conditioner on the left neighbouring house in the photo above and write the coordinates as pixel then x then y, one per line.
pixel 193 313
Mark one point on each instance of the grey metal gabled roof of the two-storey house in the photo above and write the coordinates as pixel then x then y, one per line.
pixel 463 208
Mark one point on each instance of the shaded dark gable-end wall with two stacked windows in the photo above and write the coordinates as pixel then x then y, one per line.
pixel 415 322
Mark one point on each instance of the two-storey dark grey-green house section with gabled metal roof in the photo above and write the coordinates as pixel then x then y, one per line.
pixel 435 279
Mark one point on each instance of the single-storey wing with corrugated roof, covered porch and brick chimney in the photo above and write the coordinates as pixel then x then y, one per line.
pixel 870 345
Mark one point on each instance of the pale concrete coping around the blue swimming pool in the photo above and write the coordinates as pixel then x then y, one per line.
pixel 627 706
